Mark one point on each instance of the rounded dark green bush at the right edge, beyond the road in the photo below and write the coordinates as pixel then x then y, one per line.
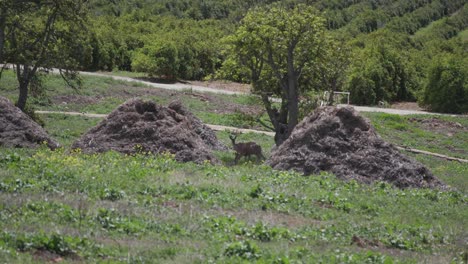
pixel 447 87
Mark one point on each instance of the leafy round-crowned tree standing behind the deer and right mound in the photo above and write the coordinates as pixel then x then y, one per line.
pixel 279 46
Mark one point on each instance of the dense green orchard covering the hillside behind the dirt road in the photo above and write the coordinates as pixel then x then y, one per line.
pixel 390 50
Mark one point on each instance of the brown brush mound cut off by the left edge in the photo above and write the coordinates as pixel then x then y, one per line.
pixel 19 130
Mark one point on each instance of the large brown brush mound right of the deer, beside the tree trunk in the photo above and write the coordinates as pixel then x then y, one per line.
pixel 339 140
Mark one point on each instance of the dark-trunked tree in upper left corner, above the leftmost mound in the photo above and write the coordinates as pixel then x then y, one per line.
pixel 41 34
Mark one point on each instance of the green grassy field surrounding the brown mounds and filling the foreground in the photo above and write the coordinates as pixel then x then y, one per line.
pixel 113 208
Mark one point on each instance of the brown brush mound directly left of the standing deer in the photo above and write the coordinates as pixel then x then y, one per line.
pixel 143 126
